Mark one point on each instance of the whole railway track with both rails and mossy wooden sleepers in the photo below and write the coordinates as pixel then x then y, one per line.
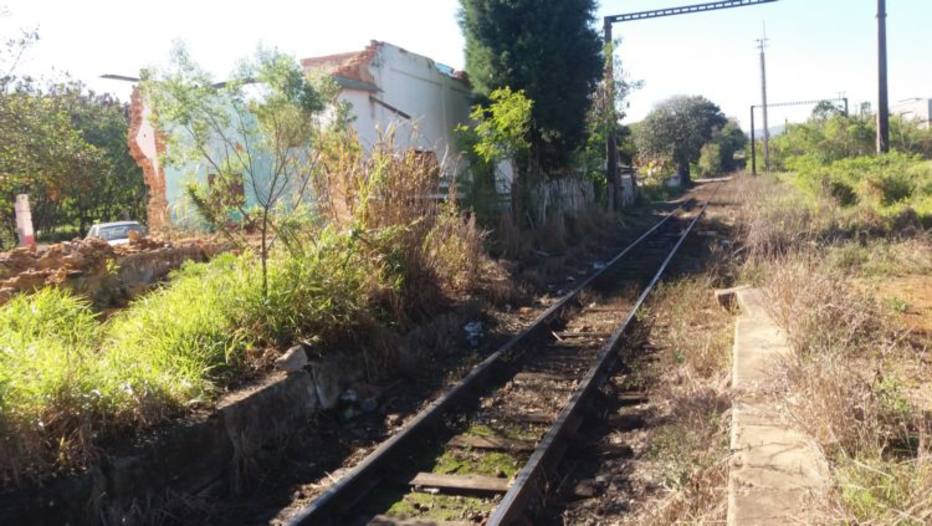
pixel 481 453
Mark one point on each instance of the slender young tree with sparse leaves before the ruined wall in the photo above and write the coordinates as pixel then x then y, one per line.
pixel 250 137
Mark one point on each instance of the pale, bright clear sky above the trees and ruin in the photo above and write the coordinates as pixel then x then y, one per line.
pixel 818 48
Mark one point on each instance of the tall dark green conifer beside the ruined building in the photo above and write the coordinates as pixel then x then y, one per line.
pixel 549 50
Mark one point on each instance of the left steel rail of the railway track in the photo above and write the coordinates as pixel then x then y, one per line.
pixel 365 476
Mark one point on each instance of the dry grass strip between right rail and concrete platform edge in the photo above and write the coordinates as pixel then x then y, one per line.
pixel 688 379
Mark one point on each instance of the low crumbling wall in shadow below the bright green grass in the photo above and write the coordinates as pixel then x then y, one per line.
pixel 201 454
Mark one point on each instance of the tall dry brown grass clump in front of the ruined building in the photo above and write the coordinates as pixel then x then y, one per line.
pixel 390 199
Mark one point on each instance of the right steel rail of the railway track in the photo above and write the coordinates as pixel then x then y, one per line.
pixel 528 481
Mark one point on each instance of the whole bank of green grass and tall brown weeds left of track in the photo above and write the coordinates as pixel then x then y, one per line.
pixel 380 254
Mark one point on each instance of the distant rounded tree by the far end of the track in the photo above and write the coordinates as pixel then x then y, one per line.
pixel 678 128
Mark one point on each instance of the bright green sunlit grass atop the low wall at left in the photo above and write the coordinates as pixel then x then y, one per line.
pixel 69 381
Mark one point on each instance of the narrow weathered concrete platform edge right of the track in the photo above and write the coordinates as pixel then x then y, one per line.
pixel 777 472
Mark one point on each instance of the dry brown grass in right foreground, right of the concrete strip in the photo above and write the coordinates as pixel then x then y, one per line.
pixel 849 387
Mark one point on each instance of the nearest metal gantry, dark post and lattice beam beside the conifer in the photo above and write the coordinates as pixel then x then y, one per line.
pixel 611 145
